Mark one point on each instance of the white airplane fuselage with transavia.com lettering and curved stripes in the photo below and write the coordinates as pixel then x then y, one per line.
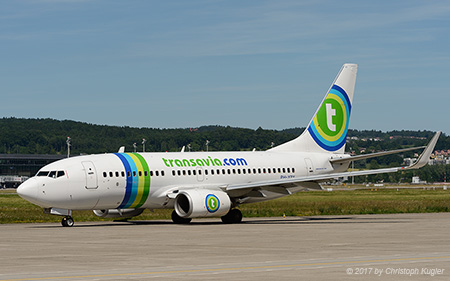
pixel 143 180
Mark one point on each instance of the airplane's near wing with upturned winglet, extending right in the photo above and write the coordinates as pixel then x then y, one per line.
pixel 421 161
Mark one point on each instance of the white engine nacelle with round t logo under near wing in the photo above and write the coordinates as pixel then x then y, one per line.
pixel 198 203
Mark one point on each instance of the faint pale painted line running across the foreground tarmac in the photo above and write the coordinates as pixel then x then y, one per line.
pixel 229 268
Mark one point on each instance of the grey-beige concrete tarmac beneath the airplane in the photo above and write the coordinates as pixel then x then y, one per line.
pixel 354 247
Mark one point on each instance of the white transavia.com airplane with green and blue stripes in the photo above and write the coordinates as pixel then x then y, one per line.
pixel 208 184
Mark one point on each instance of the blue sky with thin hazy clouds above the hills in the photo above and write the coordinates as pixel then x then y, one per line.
pixel 250 64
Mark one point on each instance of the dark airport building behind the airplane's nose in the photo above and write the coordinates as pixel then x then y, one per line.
pixel 16 168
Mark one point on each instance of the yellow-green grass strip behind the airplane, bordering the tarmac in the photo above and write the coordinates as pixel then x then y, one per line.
pixel 14 209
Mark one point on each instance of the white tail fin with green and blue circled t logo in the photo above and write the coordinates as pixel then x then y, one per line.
pixel 327 130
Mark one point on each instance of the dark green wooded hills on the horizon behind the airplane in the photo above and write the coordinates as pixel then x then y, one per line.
pixel 48 136
